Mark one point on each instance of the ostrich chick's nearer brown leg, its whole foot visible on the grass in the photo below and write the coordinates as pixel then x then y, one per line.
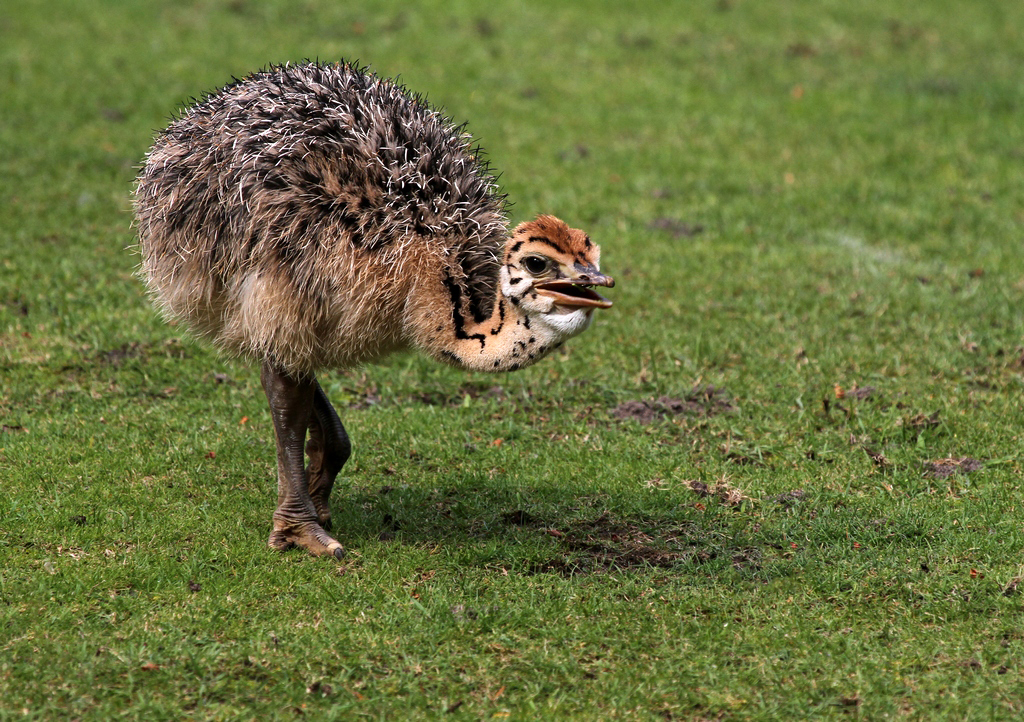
pixel 296 522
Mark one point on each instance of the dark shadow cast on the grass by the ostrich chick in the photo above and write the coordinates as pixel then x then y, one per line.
pixel 550 532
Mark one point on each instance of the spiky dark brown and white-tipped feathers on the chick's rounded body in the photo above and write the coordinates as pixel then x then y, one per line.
pixel 272 181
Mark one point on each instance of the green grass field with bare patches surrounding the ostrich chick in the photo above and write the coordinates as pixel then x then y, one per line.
pixel 780 480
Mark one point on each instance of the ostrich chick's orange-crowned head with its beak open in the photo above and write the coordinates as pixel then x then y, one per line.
pixel 550 272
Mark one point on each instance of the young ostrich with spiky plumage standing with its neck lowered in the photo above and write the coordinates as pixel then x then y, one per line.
pixel 317 217
